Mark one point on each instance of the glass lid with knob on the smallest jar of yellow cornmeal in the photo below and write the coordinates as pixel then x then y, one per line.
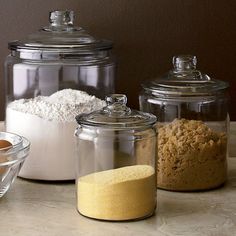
pixel 116 115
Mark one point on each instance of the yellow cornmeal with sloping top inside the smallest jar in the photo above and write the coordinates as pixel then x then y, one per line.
pixel 120 194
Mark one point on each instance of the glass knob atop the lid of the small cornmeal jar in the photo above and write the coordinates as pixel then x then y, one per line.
pixel 116 103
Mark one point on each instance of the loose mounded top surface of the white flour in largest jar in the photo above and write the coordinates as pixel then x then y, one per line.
pixel 63 105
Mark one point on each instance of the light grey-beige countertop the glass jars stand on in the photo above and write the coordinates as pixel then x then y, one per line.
pixel 33 208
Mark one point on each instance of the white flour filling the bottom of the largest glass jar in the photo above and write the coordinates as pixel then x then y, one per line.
pixel 49 123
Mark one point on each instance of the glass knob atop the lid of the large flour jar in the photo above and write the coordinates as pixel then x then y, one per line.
pixel 61 18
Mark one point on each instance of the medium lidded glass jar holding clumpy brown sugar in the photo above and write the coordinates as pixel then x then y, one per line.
pixel 193 122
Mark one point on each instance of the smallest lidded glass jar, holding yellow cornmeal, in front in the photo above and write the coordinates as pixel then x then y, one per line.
pixel 116 158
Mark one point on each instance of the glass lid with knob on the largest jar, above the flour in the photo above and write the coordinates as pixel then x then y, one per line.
pixel 61 36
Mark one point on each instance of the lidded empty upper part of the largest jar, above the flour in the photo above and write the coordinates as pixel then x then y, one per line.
pixel 57 57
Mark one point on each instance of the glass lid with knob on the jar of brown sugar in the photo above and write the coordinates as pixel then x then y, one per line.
pixel 185 80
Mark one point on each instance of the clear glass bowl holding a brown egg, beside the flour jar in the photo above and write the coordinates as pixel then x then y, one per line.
pixel 11 159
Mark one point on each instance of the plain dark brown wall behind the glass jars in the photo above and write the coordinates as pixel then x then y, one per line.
pixel 146 34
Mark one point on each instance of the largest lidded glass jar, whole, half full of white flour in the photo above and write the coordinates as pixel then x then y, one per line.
pixel 60 57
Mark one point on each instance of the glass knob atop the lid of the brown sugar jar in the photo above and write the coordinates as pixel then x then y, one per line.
pixel 184 62
